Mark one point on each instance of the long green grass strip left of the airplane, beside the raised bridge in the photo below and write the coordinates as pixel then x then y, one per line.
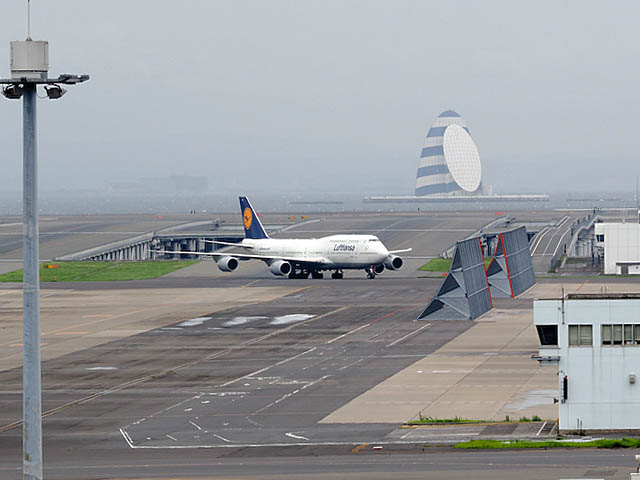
pixel 101 271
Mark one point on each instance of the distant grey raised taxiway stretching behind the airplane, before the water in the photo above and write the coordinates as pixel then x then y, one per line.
pixel 428 233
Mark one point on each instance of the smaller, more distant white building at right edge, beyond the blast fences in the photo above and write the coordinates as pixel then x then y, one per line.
pixel 621 243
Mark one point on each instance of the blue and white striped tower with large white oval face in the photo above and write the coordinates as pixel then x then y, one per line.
pixel 451 165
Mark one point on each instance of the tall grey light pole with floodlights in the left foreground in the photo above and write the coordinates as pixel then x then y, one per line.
pixel 29 69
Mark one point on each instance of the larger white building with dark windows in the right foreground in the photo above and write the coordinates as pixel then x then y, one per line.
pixel 595 341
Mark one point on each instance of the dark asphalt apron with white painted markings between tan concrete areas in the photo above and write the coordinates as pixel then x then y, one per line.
pixel 260 375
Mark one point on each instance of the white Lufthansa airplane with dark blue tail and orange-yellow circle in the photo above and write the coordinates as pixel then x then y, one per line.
pixel 299 258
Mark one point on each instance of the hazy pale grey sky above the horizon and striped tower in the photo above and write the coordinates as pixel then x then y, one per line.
pixel 303 95
